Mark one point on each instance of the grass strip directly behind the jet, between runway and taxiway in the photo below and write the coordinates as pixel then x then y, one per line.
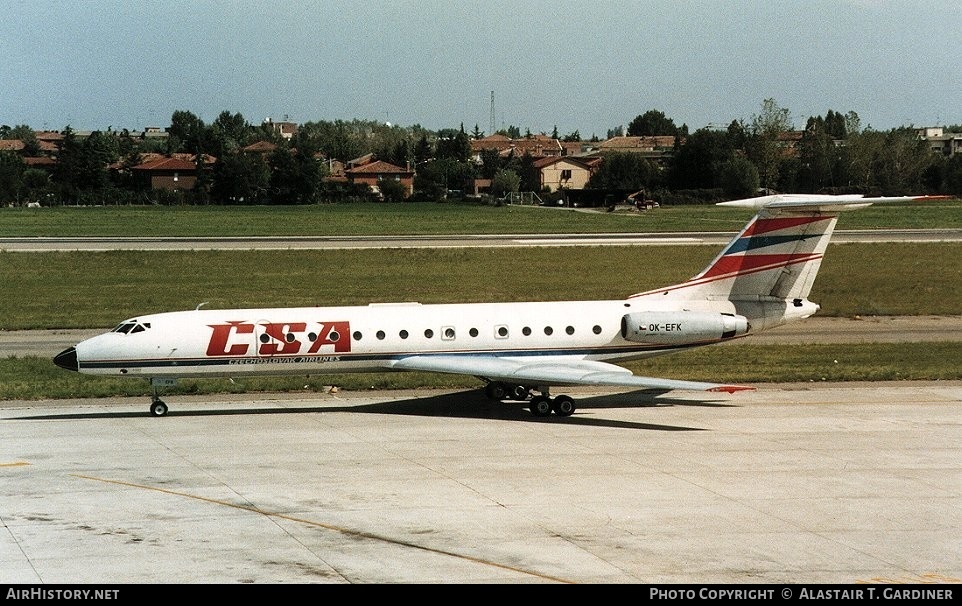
pixel 99 289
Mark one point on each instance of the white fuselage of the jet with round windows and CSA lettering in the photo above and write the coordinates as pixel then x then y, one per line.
pixel 315 340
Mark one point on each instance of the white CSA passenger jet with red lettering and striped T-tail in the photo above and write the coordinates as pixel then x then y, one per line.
pixel 761 279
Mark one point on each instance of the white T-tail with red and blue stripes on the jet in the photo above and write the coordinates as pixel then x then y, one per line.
pixel 778 254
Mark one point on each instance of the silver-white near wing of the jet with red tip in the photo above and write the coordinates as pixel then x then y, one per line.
pixel 539 371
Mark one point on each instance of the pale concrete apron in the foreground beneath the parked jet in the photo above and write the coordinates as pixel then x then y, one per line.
pixel 813 483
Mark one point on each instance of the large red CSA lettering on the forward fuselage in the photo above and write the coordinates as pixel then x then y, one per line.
pixel 273 338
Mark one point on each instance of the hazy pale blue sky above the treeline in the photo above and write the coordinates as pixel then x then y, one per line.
pixel 585 65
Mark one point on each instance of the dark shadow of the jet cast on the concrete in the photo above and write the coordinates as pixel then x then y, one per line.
pixel 471 404
